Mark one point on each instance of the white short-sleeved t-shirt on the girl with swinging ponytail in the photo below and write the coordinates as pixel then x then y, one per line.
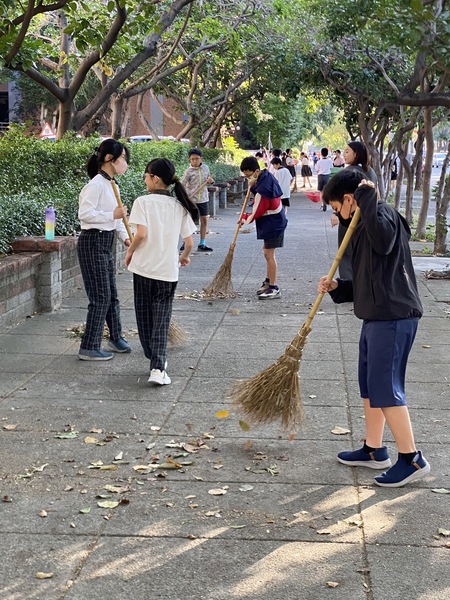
pixel 166 220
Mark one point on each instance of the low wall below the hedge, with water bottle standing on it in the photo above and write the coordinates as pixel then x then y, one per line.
pixel 37 276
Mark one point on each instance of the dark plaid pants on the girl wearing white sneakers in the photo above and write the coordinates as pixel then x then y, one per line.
pixel 153 301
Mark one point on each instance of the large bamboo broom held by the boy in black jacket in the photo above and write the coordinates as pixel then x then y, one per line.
pixel 275 392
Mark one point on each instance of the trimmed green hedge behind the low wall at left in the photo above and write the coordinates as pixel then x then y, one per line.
pixel 37 173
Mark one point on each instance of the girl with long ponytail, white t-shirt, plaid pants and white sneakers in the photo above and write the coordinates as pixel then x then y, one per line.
pixel 159 219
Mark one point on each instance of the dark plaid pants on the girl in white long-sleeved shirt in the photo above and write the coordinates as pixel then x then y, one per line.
pixel 98 271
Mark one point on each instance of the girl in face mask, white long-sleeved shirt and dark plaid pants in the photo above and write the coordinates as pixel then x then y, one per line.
pixel 100 220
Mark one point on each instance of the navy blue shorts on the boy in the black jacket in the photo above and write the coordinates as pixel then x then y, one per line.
pixel 384 347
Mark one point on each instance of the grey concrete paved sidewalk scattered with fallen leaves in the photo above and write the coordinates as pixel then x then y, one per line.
pixel 285 521
